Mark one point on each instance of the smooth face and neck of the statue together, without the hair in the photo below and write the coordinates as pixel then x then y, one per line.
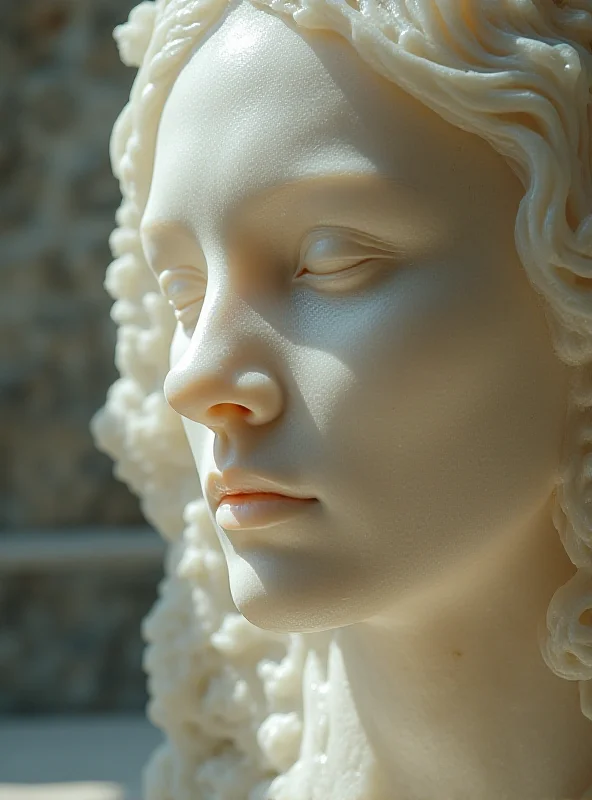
pixel 369 388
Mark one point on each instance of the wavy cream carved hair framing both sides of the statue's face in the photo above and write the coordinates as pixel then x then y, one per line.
pixel 517 73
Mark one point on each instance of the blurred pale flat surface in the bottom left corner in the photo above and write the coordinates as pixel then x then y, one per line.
pixel 87 758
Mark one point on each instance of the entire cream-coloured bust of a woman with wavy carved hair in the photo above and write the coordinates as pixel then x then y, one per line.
pixel 352 270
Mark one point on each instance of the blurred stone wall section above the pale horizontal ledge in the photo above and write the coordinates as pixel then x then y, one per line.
pixel 61 88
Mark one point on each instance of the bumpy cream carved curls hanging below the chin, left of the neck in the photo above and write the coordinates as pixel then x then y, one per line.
pixel 222 689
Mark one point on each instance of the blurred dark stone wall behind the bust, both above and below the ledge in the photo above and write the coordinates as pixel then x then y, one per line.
pixel 68 641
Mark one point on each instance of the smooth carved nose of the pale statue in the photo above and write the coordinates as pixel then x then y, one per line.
pixel 227 369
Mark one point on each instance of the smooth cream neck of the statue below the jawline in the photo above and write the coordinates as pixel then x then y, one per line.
pixel 447 695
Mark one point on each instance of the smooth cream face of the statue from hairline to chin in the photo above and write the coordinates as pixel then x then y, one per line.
pixel 356 332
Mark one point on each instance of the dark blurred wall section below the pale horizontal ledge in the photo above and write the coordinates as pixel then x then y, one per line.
pixel 71 642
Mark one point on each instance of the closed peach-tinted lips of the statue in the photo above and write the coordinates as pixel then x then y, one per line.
pixel 245 501
